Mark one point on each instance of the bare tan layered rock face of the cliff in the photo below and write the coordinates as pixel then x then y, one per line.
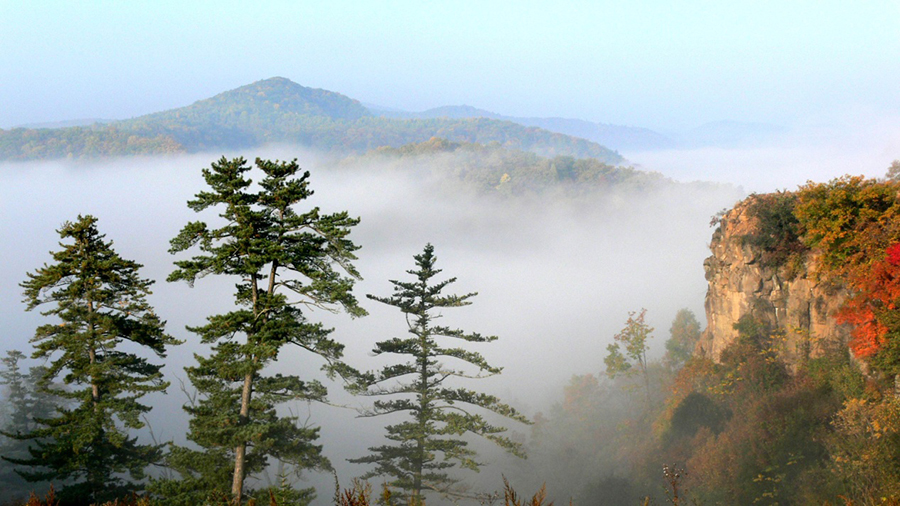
pixel 789 298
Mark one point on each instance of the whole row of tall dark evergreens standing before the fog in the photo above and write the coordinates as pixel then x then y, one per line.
pixel 73 423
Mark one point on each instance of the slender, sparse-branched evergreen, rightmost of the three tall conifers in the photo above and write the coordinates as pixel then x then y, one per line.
pixel 428 444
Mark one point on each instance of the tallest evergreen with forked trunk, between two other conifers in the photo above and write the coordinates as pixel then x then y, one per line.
pixel 284 261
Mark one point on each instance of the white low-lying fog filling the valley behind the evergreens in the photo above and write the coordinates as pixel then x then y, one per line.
pixel 556 277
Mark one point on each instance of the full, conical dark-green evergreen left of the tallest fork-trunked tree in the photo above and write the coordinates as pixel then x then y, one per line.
pixel 99 301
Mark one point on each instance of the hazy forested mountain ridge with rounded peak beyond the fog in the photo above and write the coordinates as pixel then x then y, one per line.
pixel 277 110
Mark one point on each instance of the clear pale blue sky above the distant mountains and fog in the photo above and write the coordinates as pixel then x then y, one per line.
pixel 664 65
